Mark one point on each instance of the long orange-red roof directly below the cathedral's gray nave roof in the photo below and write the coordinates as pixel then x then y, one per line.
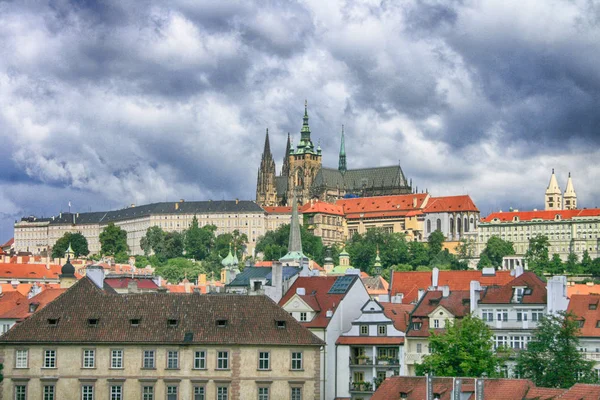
pixel 372 207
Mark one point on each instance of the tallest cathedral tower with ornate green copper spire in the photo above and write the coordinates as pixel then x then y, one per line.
pixel 304 163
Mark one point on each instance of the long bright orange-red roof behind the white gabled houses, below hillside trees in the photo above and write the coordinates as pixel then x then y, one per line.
pixel 409 282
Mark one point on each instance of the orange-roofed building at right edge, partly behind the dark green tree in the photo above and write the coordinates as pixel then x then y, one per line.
pixel 585 307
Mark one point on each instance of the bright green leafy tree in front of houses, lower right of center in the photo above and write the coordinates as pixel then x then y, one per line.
pixel 466 349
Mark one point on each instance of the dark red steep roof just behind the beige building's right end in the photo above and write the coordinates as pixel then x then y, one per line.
pixel 317 297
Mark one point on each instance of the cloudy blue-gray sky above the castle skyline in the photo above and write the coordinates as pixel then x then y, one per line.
pixel 108 103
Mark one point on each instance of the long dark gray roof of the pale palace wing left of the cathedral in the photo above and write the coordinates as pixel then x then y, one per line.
pixel 186 207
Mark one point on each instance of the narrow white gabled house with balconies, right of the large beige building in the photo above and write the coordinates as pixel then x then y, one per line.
pixel 371 350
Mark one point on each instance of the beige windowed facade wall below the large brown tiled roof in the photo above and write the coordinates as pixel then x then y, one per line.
pixel 243 378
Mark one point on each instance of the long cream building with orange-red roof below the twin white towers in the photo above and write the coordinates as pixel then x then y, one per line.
pixel 568 231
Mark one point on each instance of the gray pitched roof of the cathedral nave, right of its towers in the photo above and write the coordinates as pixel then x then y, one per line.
pixel 358 179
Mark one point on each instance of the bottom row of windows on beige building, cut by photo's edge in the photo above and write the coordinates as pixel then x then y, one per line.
pixel 116 392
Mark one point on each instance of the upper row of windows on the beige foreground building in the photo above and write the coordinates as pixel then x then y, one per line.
pixel 149 359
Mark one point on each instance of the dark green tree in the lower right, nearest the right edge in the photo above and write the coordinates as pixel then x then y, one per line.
pixel 551 358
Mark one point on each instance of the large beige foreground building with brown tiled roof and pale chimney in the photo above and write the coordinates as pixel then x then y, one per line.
pixel 92 343
